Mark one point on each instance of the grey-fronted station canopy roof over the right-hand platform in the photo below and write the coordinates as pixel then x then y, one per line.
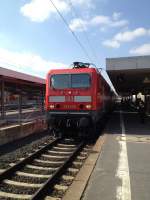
pixel 129 75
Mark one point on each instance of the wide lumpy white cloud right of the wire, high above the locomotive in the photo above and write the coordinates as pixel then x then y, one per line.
pixel 102 21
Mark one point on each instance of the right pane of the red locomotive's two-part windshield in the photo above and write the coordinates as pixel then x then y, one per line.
pixel 80 80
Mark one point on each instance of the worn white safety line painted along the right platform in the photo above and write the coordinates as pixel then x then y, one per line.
pixel 123 191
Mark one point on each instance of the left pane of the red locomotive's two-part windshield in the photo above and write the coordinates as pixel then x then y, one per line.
pixel 60 81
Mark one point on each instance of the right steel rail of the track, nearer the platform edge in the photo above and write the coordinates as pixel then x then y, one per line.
pixel 48 186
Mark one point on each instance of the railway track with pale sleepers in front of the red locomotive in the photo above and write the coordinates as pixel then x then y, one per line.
pixel 34 177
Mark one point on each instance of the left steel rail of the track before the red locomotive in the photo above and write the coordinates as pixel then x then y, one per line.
pixel 10 171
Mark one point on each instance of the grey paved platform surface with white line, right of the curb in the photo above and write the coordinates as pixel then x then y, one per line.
pixel 122 171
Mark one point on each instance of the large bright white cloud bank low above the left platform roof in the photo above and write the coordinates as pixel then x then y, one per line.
pixel 27 62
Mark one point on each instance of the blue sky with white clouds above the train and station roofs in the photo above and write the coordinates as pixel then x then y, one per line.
pixel 35 39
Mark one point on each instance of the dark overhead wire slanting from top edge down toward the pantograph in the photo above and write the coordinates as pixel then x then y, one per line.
pixel 73 33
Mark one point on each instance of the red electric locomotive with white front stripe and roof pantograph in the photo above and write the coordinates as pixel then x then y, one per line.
pixel 77 97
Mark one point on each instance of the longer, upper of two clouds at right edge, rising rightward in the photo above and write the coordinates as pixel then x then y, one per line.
pixel 126 36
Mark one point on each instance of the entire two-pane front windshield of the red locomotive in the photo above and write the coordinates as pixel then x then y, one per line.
pixel 63 81
